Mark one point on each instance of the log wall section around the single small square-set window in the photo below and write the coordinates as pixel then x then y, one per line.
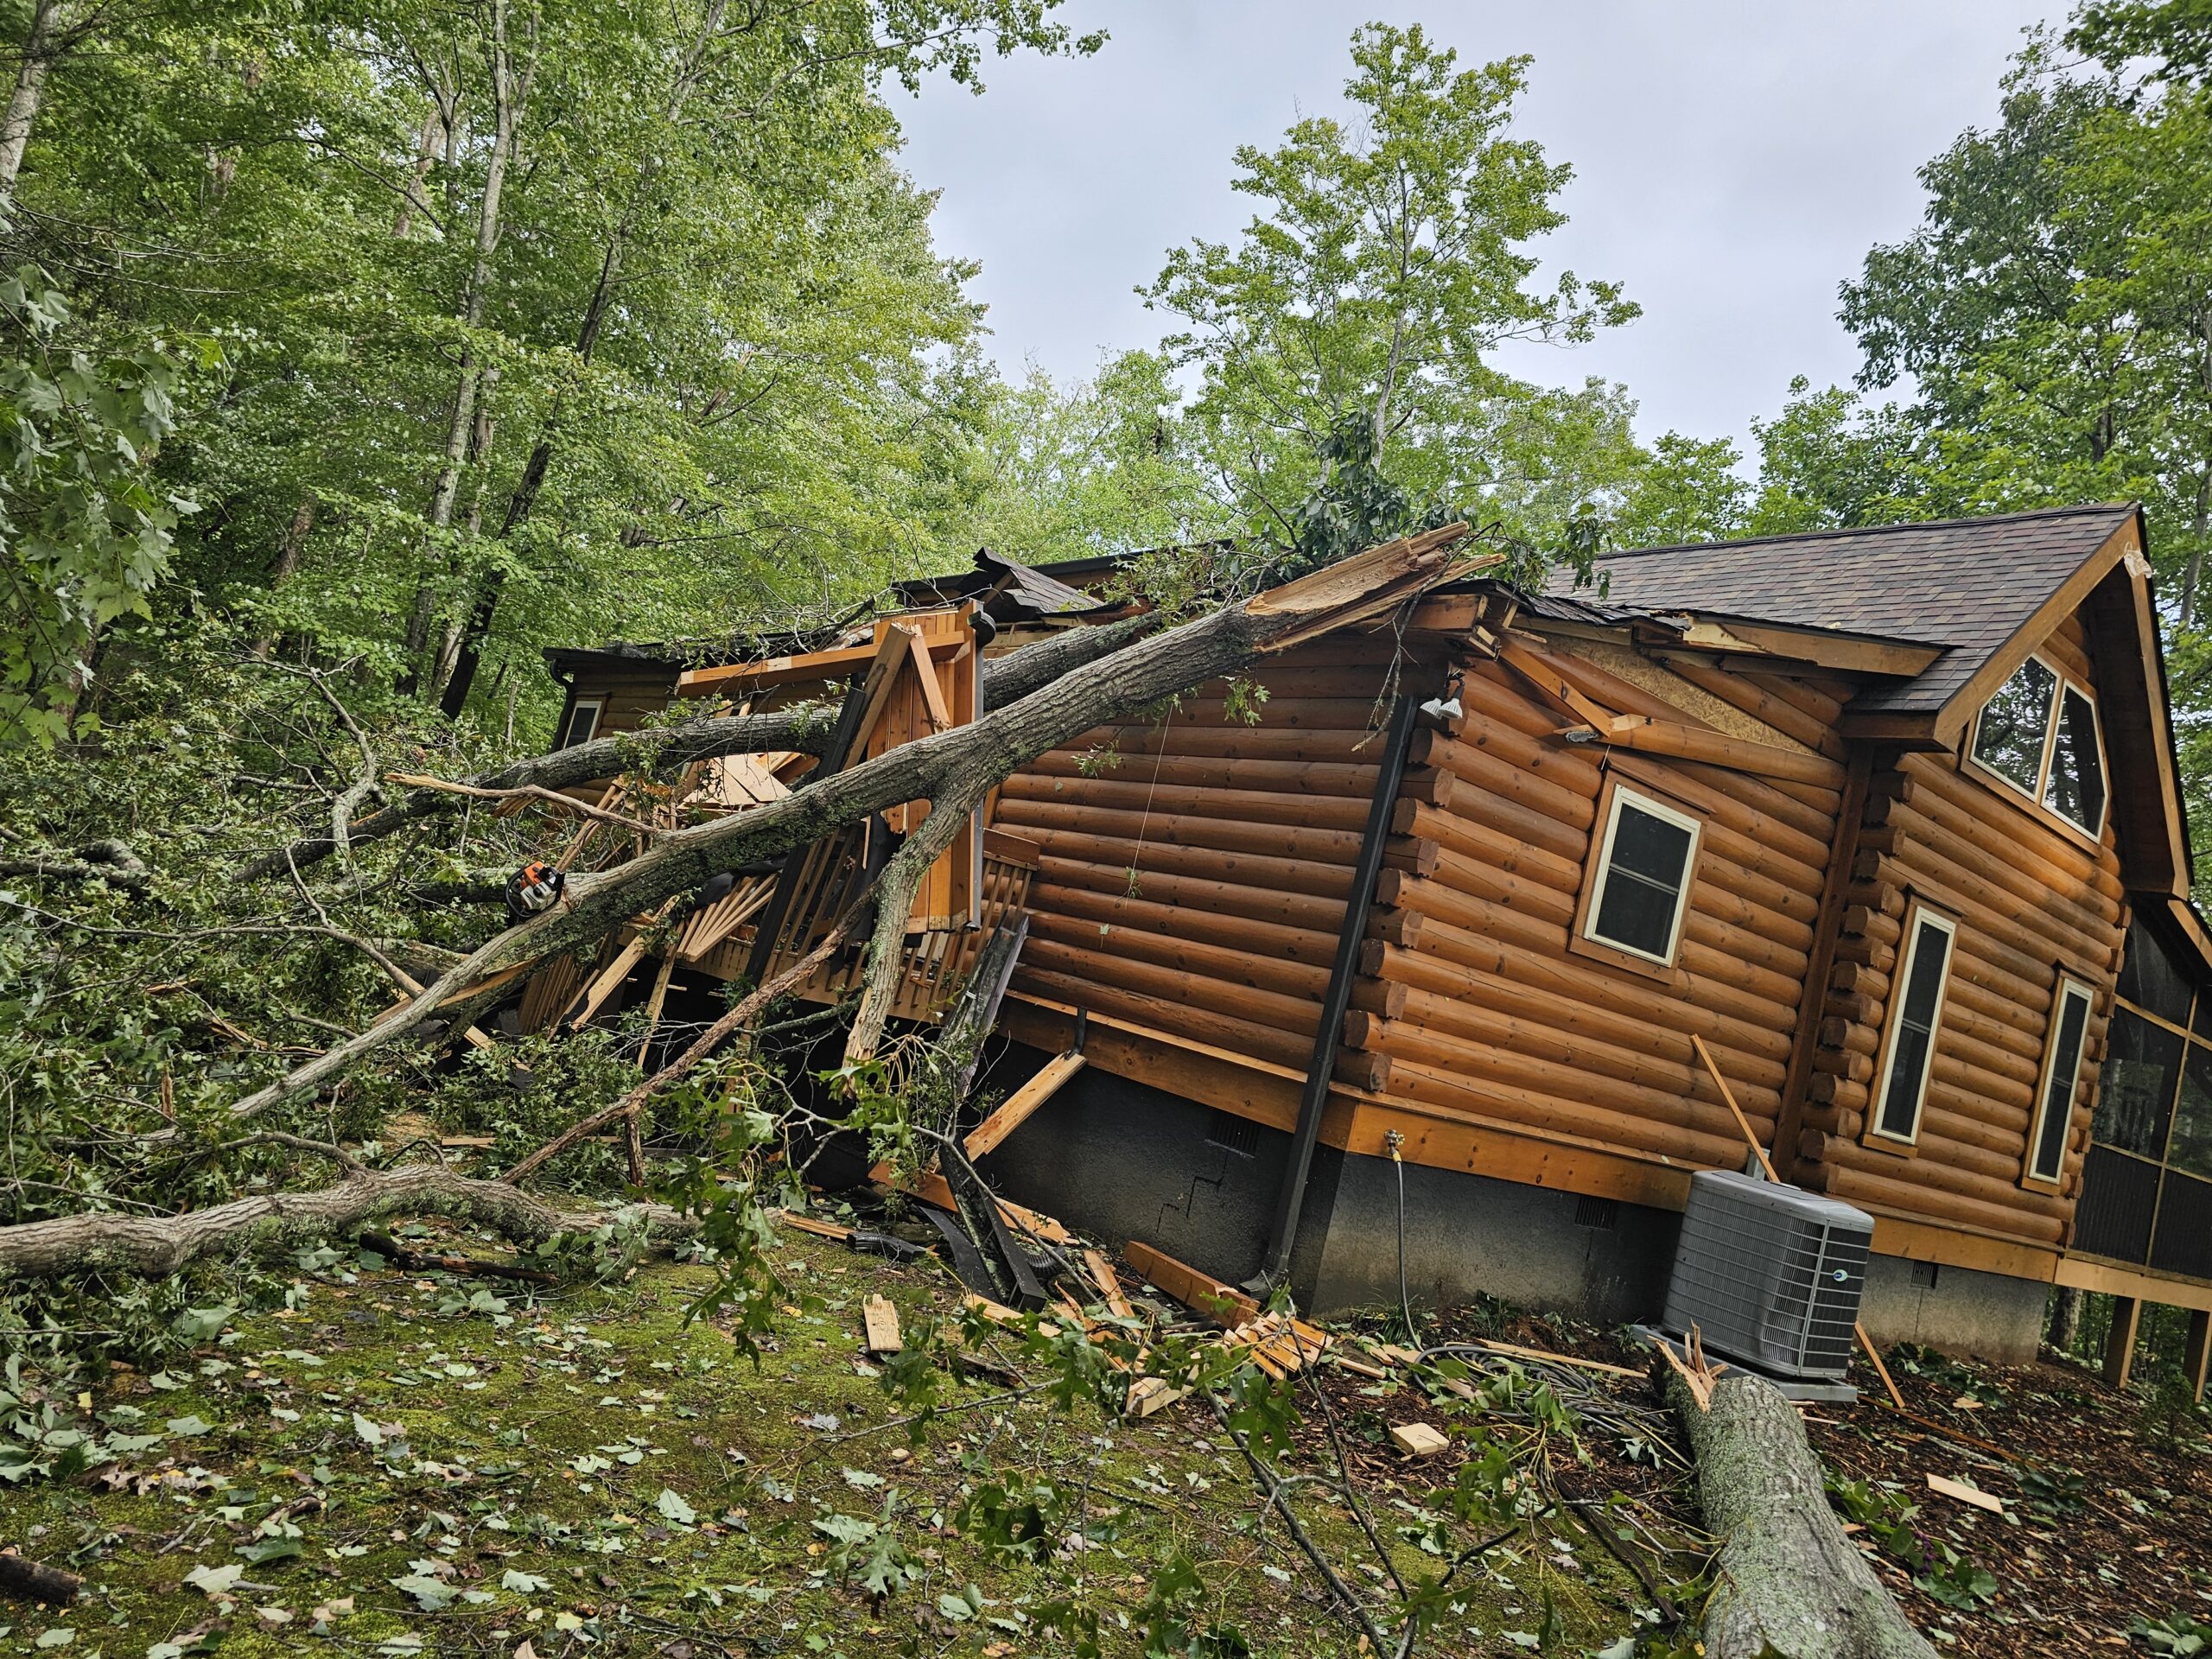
pixel 1505 1023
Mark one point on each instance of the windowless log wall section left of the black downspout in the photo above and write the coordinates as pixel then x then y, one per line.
pixel 1196 868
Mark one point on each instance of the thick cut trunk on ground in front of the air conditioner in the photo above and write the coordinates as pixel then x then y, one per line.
pixel 1788 1580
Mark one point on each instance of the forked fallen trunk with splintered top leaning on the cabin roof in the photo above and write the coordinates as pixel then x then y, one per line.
pixel 952 771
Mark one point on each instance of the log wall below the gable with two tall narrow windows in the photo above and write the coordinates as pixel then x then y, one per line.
pixel 2030 901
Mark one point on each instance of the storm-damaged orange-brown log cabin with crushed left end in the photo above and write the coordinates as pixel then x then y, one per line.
pixel 1872 837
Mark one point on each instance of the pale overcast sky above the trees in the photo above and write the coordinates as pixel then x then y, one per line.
pixel 1733 163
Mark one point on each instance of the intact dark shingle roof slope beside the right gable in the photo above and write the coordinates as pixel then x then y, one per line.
pixel 1965 585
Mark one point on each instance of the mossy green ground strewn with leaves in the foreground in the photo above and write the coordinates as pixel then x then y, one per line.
pixel 512 1465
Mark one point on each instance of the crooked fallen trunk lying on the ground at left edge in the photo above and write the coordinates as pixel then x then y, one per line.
pixel 158 1246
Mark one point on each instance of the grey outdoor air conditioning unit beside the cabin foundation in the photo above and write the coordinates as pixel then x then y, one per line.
pixel 1771 1275
